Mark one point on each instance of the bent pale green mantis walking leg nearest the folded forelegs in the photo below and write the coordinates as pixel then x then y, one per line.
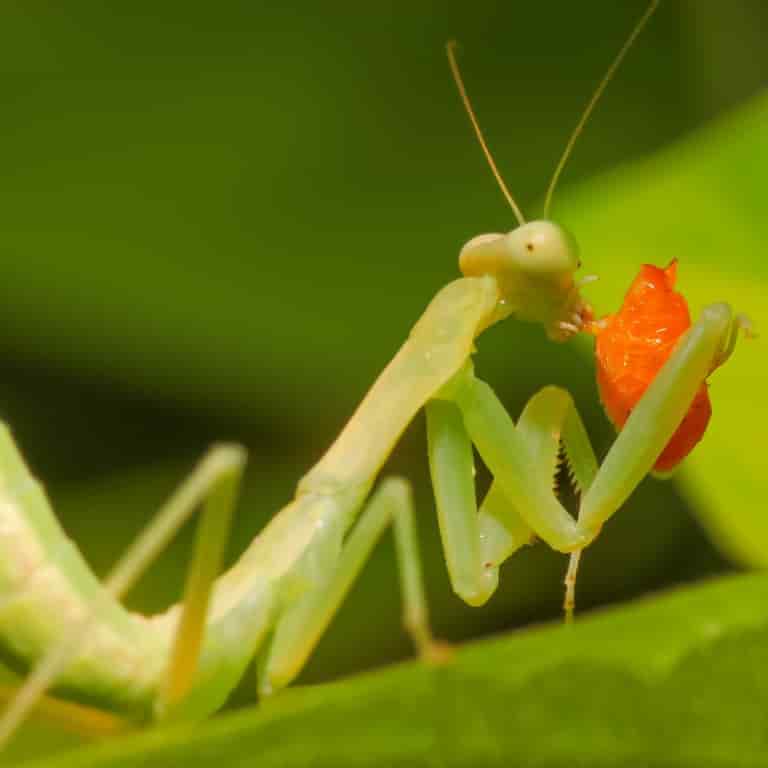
pixel 336 566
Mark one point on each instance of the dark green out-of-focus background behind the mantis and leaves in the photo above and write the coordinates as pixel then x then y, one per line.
pixel 219 222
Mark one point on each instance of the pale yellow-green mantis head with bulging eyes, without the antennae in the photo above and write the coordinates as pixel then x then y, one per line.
pixel 534 266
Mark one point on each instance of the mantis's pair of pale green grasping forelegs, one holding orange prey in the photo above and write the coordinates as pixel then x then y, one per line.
pixel 523 459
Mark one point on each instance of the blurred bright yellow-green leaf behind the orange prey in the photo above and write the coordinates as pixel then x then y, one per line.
pixel 701 201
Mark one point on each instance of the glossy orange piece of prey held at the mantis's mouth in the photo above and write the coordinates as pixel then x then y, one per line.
pixel 632 346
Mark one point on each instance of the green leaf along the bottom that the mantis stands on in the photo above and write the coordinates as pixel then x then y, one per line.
pixel 678 680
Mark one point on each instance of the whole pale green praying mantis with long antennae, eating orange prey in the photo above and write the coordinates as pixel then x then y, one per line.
pixel 276 601
